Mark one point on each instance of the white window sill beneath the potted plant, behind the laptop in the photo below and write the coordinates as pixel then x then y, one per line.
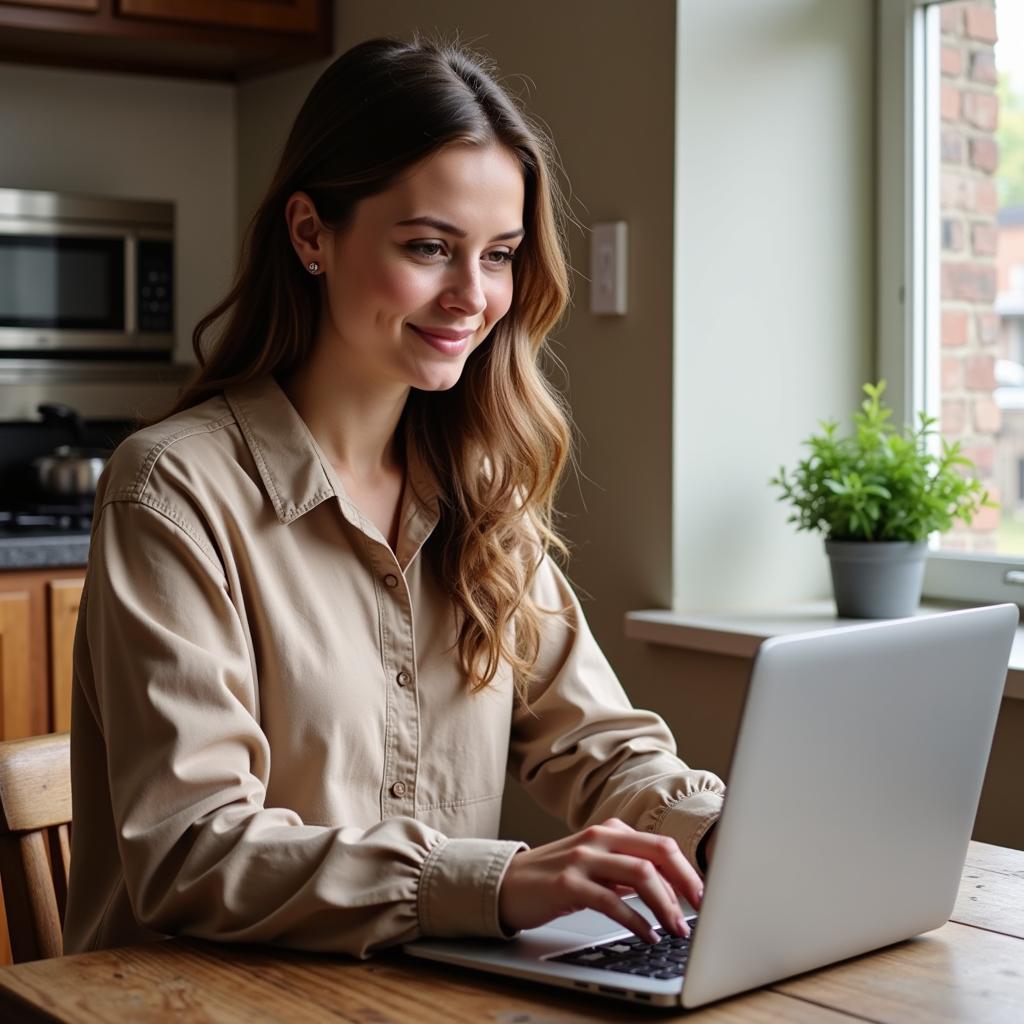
pixel 741 633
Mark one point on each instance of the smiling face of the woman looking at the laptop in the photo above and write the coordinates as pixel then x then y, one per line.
pixel 423 272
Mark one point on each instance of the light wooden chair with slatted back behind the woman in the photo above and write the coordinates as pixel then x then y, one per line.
pixel 35 842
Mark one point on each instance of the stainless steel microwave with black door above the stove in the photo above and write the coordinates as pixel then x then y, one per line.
pixel 86 278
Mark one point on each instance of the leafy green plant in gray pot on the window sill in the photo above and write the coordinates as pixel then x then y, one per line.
pixel 877 495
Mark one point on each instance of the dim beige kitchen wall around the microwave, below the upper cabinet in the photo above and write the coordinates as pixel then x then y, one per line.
pixel 127 136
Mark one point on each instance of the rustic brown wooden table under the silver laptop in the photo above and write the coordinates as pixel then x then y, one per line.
pixel 971 970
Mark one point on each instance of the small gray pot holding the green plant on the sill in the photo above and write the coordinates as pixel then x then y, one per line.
pixel 877 580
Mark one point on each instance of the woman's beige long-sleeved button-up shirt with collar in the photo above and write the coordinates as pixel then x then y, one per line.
pixel 273 740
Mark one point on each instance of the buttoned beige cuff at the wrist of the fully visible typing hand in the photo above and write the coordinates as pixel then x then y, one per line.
pixel 459 885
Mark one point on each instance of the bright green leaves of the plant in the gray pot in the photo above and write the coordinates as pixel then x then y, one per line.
pixel 880 484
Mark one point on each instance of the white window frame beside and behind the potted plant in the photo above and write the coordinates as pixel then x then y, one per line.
pixel 909 267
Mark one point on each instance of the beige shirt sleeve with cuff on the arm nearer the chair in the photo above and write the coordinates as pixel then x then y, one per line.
pixel 176 698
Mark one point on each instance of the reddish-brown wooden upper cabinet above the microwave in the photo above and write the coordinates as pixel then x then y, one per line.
pixel 226 40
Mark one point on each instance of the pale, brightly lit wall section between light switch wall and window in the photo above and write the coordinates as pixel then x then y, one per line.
pixel 775 278
